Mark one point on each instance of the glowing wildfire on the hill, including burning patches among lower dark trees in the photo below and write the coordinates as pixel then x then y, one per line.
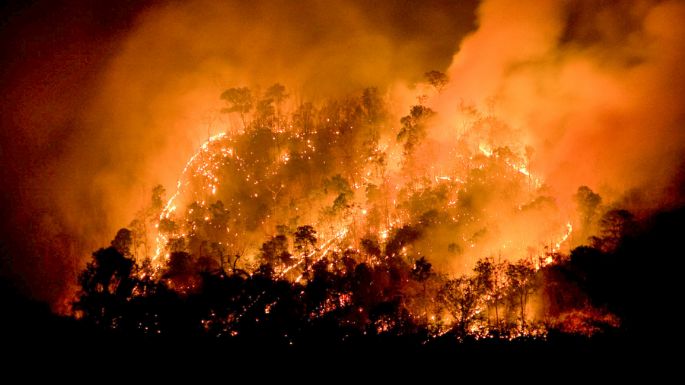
pixel 382 211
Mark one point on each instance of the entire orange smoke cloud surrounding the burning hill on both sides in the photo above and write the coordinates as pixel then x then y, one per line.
pixel 582 93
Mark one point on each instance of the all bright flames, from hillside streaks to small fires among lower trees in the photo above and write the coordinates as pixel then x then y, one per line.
pixel 202 170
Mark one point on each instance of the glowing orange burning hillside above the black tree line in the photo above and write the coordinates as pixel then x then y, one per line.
pixel 344 168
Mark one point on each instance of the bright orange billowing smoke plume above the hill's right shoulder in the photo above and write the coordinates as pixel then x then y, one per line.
pixel 593 88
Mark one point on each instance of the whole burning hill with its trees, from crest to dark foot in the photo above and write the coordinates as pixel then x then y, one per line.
pixel 329 216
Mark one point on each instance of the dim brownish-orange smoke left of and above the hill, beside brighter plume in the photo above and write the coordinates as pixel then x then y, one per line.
pixel 103 102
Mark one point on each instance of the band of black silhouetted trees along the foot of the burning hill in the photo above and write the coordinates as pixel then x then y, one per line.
pixel 347 298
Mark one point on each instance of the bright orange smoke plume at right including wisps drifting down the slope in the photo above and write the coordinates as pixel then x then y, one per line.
pixel 585 93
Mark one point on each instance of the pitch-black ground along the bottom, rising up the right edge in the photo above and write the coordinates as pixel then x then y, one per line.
pixel 31 333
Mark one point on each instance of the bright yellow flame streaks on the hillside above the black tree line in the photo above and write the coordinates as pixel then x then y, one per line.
pixel 200 180
